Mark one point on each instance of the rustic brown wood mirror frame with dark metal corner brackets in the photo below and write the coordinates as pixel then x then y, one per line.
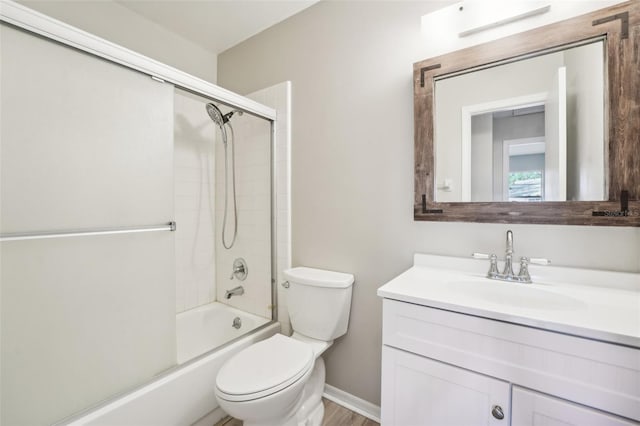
pixel 620 24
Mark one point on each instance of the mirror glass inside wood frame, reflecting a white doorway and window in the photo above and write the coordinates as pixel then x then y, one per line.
pixel 530 130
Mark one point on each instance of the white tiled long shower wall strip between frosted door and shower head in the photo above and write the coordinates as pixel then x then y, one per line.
pixel 194 172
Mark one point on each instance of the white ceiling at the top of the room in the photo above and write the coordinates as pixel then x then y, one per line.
pixel 216 25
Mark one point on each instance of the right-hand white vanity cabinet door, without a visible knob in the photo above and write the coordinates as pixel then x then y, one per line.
pixel 531 408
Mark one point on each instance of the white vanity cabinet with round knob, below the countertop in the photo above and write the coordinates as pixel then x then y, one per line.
pixel 445 368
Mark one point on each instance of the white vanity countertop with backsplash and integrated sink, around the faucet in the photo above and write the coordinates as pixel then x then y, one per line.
pixel 594 304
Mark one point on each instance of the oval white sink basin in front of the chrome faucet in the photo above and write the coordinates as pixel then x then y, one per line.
pixel 514 294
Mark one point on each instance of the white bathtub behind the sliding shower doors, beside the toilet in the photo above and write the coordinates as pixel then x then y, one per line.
pixel 185 395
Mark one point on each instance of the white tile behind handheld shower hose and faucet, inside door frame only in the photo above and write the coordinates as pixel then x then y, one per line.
pixel 251 143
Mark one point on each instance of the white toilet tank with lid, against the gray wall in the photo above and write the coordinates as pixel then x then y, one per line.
pixel 319 302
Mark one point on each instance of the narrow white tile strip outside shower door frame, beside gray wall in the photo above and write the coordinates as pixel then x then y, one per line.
pixel 278 97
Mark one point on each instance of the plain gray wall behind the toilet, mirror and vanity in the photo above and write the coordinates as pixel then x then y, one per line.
pixel 350 64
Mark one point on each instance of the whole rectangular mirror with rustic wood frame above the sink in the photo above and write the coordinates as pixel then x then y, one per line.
pixel 539 127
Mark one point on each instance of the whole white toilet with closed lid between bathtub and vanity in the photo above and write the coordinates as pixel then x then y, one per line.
pixel 279 381
